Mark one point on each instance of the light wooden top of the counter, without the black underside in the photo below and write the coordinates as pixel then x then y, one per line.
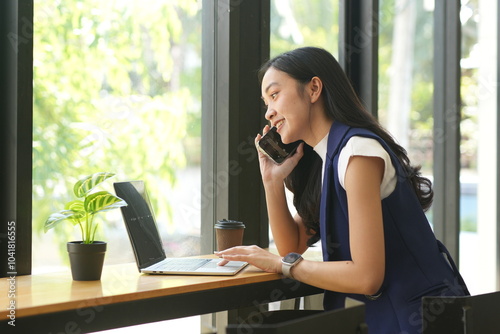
pixel 54 292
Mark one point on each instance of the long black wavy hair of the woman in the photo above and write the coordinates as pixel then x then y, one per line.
pixel 342 104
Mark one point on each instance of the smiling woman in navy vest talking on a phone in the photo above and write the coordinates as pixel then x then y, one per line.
pixel 355 191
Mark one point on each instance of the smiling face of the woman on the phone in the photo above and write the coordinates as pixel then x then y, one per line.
pixel 294 108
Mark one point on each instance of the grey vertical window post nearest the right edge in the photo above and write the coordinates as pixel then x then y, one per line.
pixel 447 41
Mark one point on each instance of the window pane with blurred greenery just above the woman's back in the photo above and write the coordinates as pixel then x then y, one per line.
pixel 406 77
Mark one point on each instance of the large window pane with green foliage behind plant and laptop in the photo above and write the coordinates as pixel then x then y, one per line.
pixel 117 88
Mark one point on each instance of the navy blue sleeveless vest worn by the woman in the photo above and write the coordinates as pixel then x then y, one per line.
pixel 416 263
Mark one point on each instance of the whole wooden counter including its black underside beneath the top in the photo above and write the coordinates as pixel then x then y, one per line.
pixel 53 302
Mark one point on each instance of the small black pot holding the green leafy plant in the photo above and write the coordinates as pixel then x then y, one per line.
pixel 86 260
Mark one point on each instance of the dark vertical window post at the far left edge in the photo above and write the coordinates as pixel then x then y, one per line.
pixel 16 96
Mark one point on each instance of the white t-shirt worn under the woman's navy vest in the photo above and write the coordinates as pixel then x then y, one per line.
pixel 361 146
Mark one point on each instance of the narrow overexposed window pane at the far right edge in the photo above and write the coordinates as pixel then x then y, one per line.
pixel 479 196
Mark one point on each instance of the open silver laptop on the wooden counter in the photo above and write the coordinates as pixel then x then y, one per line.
pixel 146 242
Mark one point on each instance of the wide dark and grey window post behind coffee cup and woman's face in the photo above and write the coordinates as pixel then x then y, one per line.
pixel 231 117
